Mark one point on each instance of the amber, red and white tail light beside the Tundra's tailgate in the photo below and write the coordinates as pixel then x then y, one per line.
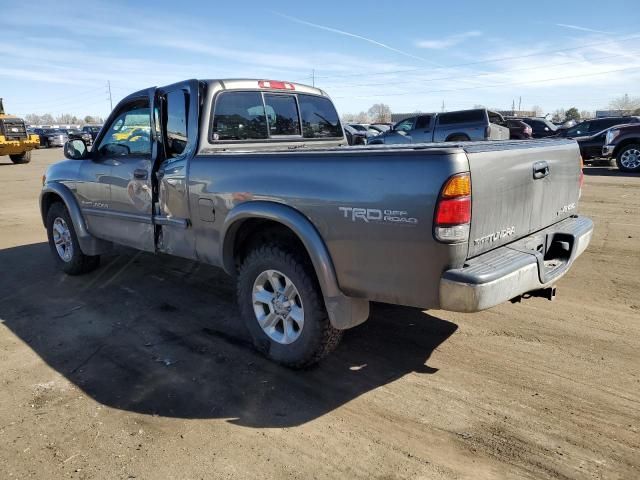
pixel 453 210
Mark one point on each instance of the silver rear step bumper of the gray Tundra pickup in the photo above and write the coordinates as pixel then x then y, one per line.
pixel 507 272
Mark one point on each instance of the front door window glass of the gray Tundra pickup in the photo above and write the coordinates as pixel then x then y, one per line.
pixel 129 133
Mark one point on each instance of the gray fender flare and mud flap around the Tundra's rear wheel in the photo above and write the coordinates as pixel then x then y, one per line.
pixel 344 312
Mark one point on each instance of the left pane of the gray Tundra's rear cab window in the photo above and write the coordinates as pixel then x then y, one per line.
pixel 239 116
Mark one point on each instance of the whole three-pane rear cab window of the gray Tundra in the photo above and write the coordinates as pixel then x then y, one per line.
pixel 253 115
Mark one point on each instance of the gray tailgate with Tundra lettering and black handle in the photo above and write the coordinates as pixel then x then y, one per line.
pixel 520 187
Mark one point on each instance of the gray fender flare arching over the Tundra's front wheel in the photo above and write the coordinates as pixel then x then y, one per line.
pixel 54 191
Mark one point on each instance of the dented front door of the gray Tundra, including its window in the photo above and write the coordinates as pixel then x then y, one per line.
pixel 126 147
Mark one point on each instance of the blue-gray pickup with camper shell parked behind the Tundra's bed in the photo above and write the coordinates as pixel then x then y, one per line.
pixel 459 126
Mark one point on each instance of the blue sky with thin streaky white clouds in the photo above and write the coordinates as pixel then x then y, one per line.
pixel 57 57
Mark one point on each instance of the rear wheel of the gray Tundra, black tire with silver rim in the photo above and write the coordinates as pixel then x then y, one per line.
pixel 316 338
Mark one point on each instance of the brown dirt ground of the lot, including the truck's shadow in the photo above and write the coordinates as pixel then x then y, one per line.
pixel 143 370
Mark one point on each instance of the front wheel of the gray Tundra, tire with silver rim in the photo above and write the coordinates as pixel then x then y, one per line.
pixel 76 263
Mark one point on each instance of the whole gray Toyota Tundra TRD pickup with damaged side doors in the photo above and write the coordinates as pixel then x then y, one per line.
pixel 253 176
